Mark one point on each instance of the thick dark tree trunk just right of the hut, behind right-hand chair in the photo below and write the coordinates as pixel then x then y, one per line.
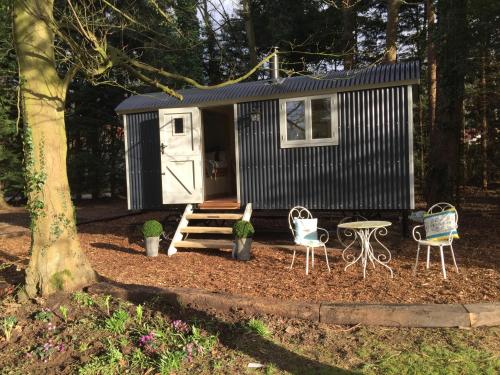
pixel 442 177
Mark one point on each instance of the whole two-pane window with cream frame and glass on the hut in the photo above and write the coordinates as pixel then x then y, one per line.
pixel 309 121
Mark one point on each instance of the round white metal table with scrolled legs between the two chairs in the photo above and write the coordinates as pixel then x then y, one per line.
pixel 364 231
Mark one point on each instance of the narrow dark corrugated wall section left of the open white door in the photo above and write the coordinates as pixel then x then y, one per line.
pixel 143 157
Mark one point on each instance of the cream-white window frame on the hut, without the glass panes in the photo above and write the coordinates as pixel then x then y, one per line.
pixel 309 141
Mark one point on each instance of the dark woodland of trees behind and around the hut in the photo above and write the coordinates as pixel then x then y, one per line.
pixel 213 41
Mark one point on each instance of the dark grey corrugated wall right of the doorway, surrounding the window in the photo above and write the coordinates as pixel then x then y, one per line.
pixel 369 169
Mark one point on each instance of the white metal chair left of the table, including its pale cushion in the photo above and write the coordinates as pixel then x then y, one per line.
pixel 305 233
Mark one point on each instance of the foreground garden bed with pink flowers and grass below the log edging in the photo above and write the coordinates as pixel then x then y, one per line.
pixel 98 334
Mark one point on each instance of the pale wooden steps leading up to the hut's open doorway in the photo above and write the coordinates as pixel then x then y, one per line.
pixel 180 239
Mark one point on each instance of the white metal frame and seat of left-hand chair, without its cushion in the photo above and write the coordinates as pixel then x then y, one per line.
pixel 300 212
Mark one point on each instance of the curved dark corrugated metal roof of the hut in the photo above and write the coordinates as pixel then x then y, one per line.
pixel 378 75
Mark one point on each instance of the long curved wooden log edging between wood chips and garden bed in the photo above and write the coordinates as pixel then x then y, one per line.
pixel 390 315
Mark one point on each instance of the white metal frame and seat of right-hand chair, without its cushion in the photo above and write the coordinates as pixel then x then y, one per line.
pixel 422 241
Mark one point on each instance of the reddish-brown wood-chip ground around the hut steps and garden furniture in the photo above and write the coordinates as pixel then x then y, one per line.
pixel 116 252
